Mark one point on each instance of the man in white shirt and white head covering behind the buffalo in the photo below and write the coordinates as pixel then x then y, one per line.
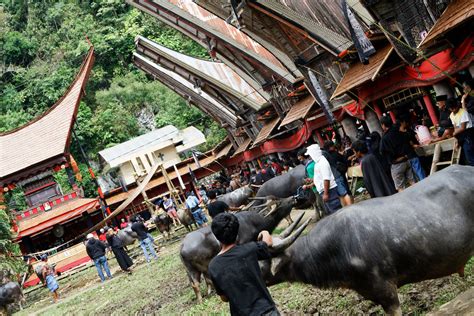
pixel 324 179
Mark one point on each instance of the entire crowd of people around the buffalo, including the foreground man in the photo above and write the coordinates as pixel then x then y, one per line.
pixel 389 164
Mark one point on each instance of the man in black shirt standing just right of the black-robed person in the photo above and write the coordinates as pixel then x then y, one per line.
pixel 394 147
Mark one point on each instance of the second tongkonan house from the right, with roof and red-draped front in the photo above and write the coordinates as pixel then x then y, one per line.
pixel 316 38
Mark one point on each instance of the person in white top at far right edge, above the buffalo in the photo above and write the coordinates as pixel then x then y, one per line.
pixel 463 128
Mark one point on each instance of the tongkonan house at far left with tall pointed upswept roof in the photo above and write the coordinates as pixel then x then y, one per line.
pixel 30 156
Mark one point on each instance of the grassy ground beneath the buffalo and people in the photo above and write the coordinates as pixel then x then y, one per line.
pixel 161 287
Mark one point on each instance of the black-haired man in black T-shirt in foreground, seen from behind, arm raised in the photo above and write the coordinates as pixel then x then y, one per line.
pixel 235 272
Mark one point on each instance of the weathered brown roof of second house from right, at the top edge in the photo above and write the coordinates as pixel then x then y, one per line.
pixel 299 20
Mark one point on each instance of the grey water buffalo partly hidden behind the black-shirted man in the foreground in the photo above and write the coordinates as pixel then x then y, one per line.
pixel 199 247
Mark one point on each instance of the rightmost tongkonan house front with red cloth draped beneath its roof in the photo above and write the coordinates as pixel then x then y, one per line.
pixel 430 55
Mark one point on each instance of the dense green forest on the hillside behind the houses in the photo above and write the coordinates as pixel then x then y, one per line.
pixel 42 45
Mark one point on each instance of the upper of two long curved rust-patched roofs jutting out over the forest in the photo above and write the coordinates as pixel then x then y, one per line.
pixel 248 58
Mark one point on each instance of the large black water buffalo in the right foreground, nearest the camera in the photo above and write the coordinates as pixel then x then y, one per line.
pixel 377 245
